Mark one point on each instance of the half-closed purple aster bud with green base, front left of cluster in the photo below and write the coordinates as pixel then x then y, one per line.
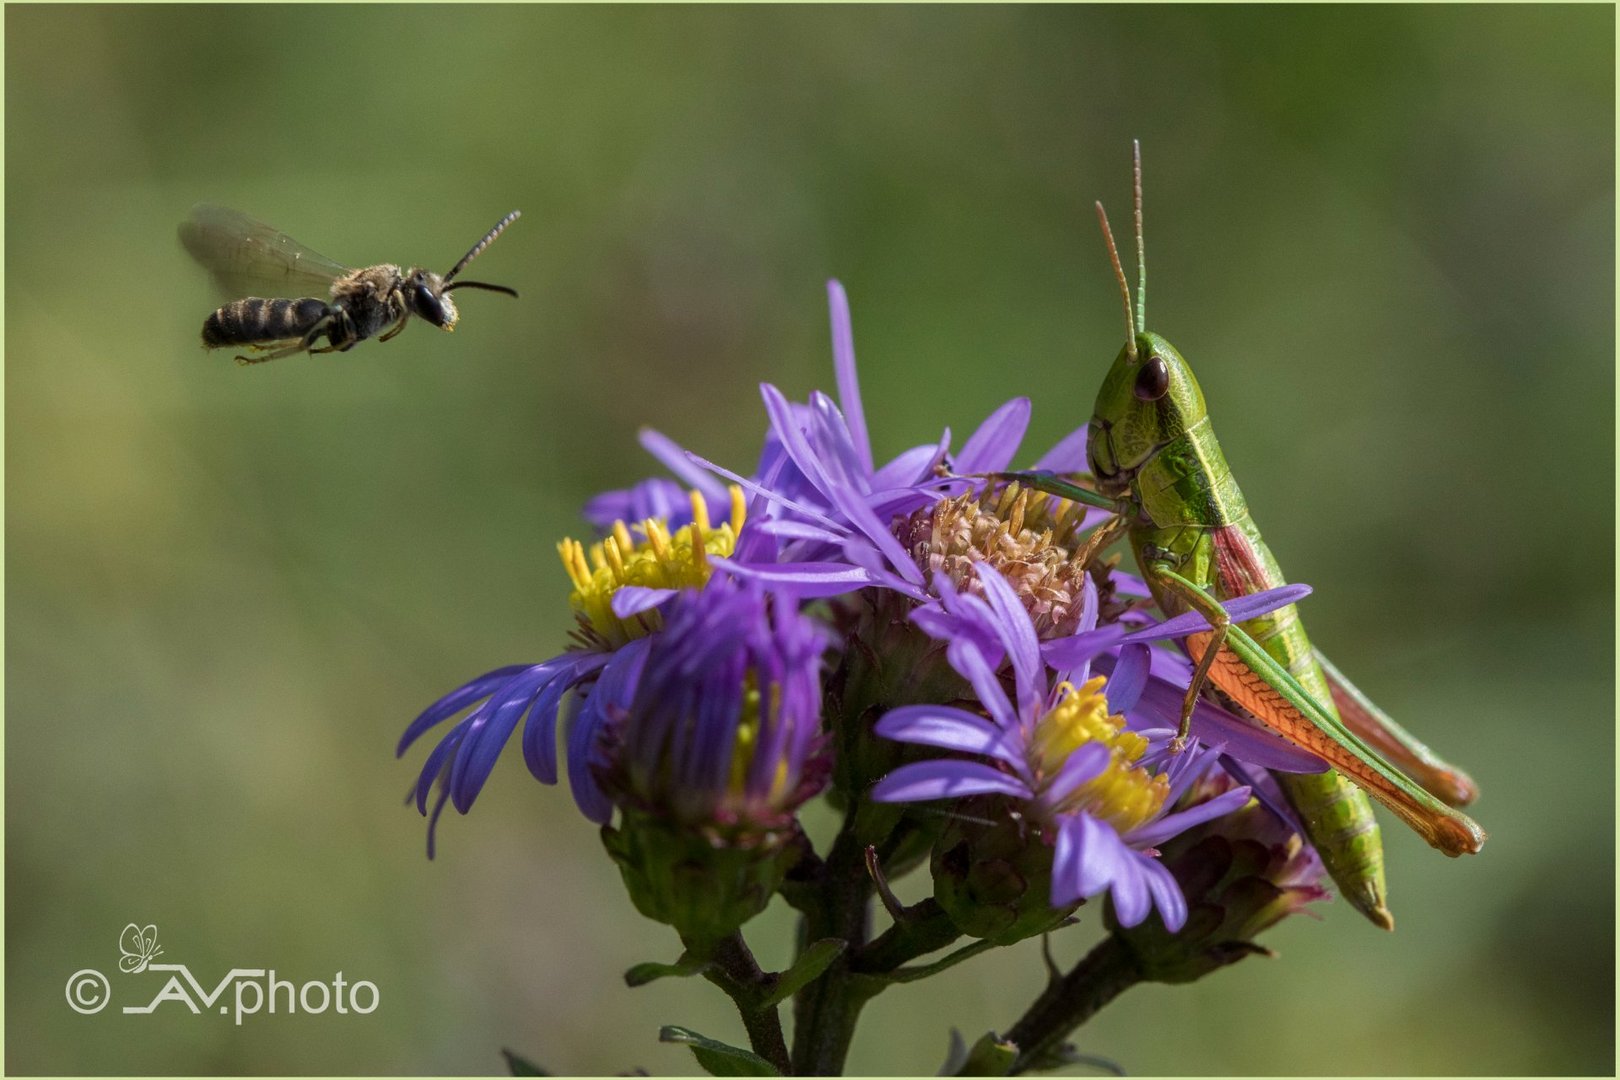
pixel 715 752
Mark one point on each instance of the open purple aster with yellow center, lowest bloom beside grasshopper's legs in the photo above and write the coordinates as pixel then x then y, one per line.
pixel 1096 786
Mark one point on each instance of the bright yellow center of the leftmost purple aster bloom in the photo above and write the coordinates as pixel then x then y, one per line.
pixel 662 561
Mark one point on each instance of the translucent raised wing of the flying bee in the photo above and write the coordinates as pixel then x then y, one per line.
pixel 249 258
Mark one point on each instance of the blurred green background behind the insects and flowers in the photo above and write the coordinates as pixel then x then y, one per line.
pixel 1383 236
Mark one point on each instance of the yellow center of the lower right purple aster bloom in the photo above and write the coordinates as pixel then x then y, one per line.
pixel 1123 794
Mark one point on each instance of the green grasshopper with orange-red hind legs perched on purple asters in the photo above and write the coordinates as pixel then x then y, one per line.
pixel 1157 466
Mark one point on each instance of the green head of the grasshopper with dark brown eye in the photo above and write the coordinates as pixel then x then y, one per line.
pixel 1148 399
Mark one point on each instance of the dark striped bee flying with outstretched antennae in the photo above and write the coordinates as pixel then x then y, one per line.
pixel 245 255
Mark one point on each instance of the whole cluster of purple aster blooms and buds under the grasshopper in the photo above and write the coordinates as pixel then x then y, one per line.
pixel 945 648
